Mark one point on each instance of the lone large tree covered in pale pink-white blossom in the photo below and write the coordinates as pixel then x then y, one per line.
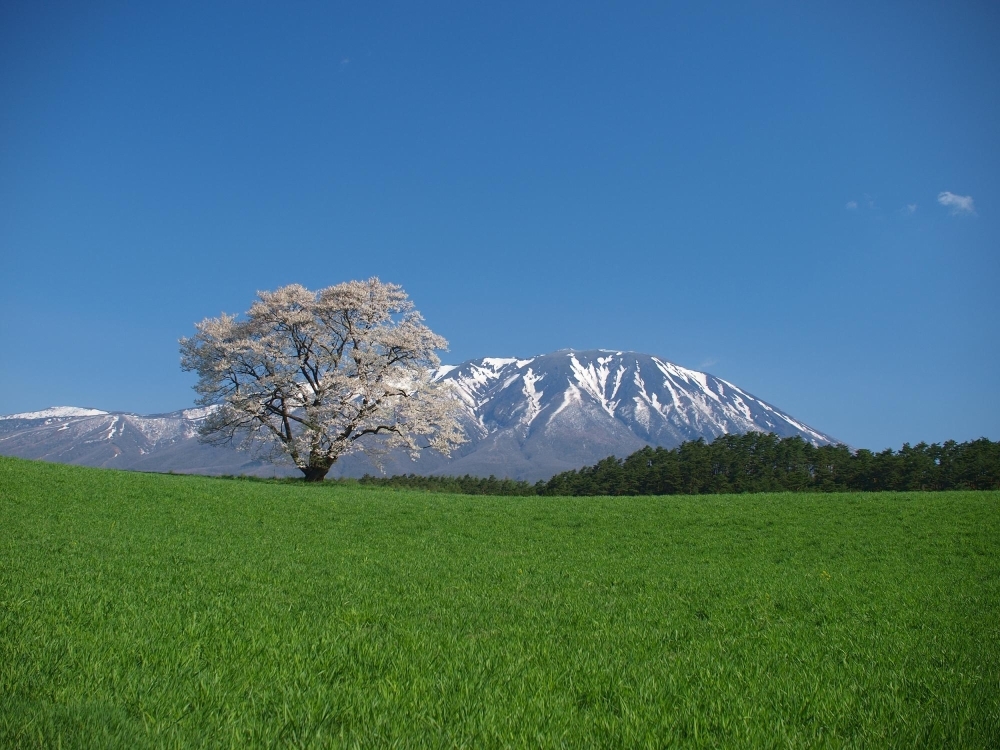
pixel 311 376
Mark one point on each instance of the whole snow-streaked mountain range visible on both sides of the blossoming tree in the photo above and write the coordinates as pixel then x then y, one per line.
pixel 525 418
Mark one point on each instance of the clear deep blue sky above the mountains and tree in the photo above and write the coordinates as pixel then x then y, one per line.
pixel 801 200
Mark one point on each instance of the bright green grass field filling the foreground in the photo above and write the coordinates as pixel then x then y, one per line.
pixel 168 611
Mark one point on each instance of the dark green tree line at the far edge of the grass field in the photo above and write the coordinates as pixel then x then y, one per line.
pixel 754 462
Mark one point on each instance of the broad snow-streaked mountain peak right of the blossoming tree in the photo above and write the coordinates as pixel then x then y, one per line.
pixel 530 418
